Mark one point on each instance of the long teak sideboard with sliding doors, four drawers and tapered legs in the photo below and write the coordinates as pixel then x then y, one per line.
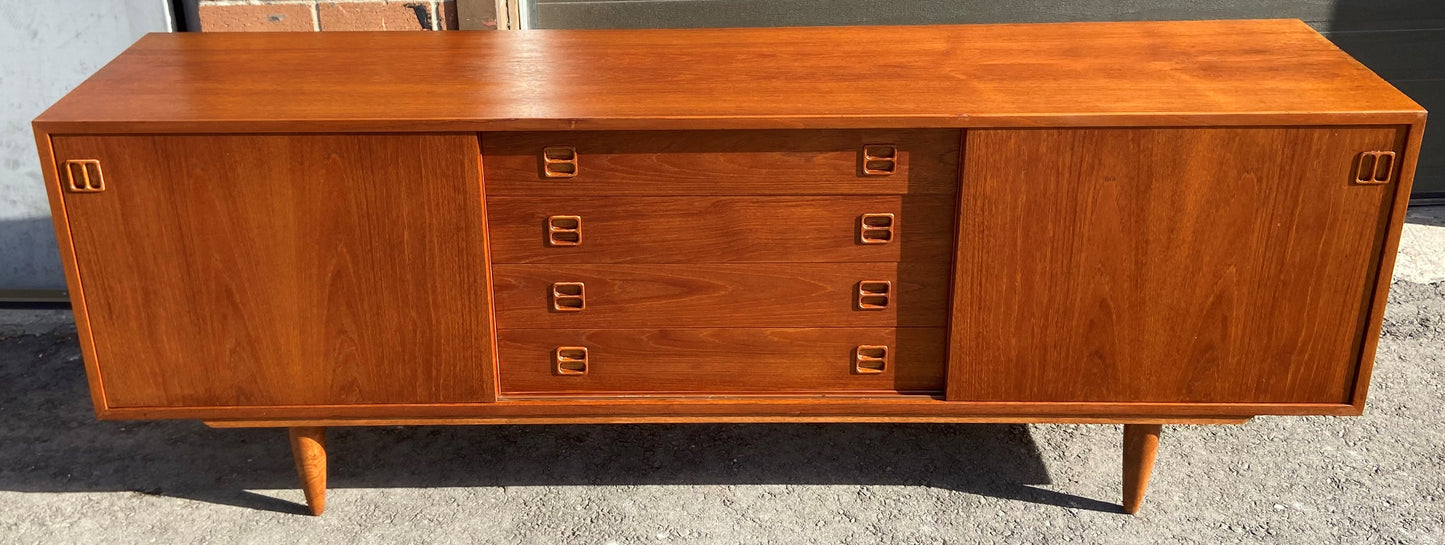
pixel 1093 223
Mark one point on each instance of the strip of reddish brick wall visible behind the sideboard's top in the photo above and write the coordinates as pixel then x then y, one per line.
pixel 324 15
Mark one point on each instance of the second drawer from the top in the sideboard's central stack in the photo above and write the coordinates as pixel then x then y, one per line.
pixel 720 229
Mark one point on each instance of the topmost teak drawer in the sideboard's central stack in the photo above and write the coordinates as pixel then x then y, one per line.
pixel 722 163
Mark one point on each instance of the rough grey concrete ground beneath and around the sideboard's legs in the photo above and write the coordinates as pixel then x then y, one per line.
pixel 1376 479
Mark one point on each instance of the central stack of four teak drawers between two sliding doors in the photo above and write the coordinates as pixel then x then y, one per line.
pixel 790 262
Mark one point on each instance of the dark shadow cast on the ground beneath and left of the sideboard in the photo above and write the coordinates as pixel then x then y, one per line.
pixel 51 442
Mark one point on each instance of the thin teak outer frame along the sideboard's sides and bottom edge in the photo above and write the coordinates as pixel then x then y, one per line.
pixel 774 410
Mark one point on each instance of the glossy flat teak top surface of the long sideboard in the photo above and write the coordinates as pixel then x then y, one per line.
pixel 962 76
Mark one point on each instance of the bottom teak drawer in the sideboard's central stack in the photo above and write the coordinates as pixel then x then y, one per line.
pixel 720 361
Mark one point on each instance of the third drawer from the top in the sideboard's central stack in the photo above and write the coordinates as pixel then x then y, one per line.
pixel 720 296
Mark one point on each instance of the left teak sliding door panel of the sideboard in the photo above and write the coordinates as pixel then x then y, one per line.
pixel 284 270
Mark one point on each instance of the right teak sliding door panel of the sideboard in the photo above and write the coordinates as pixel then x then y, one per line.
pixel 1202 265
